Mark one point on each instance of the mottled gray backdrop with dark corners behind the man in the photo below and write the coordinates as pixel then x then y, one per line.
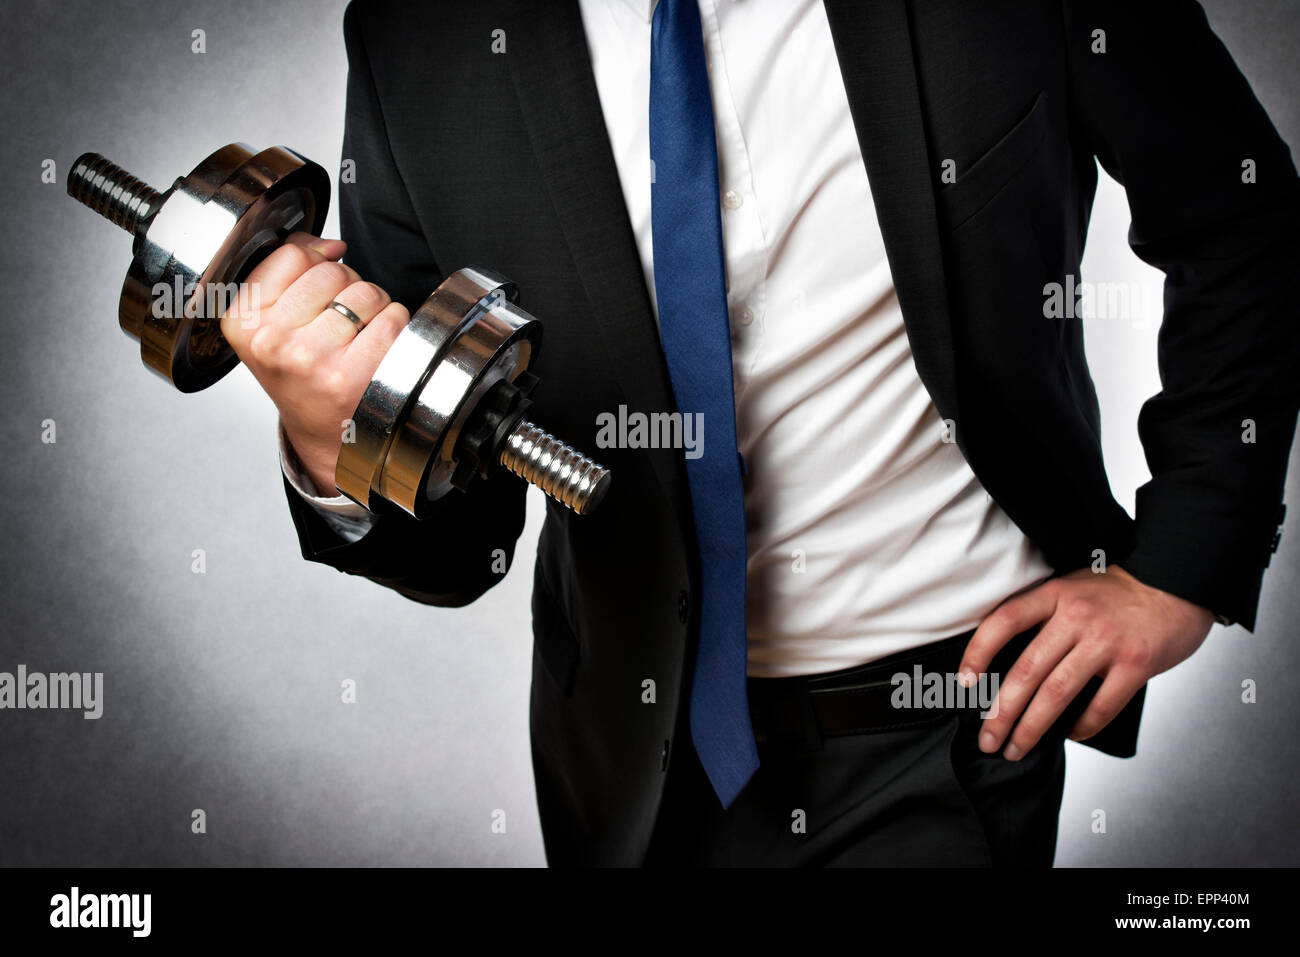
pixel 223 690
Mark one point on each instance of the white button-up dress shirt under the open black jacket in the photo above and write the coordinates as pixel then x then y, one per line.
pixel 868 532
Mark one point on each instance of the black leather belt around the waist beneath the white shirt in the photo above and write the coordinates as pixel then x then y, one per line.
pixel 864 700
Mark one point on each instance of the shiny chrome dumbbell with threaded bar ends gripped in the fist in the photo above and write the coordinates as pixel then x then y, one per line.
pixel 449 399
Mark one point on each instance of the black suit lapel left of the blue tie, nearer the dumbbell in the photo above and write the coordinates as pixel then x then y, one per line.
pixel 557 92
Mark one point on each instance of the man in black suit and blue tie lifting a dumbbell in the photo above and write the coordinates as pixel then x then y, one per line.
pixel 829 231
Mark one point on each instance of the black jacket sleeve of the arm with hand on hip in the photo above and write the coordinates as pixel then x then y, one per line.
pixel 1215 202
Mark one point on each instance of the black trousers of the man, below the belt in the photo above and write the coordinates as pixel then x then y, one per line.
pixel 917 796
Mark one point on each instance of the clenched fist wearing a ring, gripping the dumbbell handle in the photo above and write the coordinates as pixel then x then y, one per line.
pixel 314 362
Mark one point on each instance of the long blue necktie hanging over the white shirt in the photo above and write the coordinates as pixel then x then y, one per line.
pixel 691 288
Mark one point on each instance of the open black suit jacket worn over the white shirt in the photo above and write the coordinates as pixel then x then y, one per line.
pixel 466 155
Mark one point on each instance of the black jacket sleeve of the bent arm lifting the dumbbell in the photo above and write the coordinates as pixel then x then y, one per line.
pixel 469 543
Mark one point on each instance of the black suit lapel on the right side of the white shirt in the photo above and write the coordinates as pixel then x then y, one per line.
pixel 873 42
